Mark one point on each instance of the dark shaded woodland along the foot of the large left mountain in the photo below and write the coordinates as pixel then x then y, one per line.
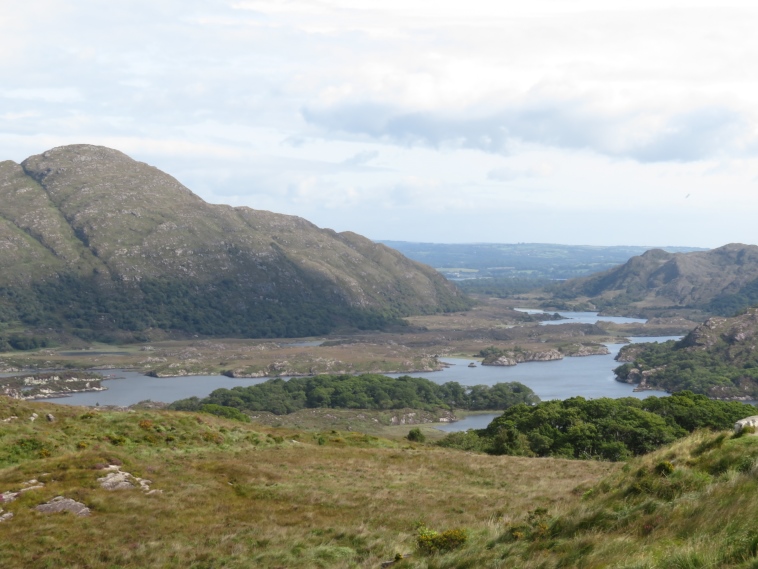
pixel 103 310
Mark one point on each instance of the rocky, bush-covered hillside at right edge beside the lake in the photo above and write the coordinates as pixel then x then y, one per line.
pixel 718 359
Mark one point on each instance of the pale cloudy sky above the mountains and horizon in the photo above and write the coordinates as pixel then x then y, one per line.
pixel 608 122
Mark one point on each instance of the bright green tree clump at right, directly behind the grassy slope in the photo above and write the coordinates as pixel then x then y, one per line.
pixel 606 429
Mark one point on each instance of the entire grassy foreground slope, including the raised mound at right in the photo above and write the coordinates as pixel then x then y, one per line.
pixel 243 495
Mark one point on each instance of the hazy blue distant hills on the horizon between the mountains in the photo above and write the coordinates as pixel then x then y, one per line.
pixel 520 260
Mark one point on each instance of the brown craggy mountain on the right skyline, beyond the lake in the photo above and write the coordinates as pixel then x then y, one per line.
pixel 719 281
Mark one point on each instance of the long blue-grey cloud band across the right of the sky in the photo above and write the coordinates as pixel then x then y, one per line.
pixel 679 137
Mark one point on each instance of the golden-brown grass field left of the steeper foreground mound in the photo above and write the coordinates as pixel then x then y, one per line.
pixel 247 495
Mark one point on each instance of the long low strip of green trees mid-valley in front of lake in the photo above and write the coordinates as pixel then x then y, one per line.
pixel 367 391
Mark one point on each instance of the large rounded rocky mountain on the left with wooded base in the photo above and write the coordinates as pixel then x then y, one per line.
pixel 99 244
